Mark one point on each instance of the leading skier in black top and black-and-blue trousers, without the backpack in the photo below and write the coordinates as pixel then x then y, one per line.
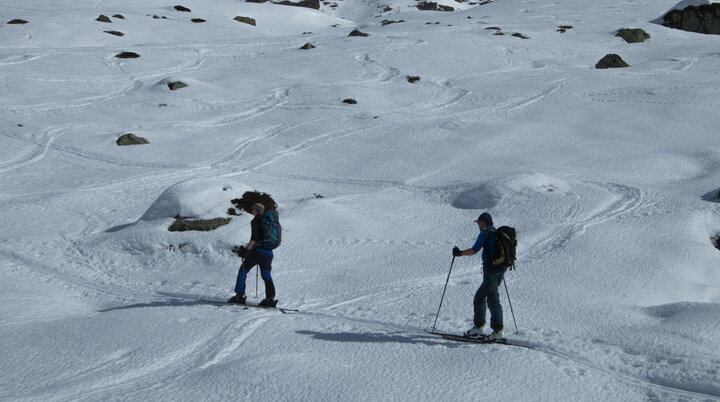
pixel 254 255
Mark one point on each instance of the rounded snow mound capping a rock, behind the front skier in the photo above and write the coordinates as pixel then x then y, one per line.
pixel 203 198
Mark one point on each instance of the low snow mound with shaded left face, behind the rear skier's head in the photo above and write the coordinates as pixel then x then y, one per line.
pixel 489 195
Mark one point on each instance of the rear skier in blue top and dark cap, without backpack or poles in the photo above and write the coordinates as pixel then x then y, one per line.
pixel 488 293
